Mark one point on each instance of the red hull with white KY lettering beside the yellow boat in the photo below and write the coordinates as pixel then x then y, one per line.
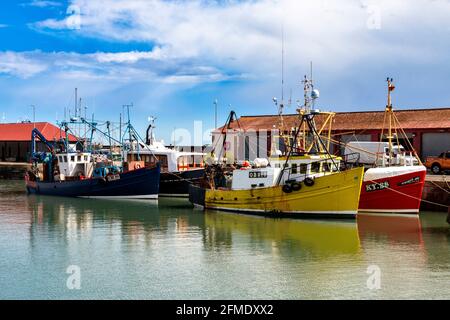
pixel 397 194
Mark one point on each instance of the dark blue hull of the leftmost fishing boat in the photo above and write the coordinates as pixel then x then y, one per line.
pixel 138 184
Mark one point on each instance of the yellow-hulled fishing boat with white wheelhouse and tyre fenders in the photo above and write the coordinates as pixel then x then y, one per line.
pixel 306 180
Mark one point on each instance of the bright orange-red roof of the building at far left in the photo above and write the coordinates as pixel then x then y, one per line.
pixel 22 131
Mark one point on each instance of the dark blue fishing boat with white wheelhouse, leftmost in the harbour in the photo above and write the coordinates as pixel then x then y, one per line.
pixel 64 171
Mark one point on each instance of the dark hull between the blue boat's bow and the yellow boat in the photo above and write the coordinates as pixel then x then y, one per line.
pixel 176 184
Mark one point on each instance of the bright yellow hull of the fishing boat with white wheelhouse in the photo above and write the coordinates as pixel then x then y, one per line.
pixel 333 194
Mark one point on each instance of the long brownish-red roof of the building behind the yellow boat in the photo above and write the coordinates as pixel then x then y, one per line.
pixel 343 121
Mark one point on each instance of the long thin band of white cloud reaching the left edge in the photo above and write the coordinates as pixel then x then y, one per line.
pixel 119 67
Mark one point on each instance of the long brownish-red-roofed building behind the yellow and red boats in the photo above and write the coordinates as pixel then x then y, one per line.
pixel 428 131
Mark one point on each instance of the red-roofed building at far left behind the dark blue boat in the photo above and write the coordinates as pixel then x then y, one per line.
pixel 15 139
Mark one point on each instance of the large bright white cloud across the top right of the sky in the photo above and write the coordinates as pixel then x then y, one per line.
pixel 246 35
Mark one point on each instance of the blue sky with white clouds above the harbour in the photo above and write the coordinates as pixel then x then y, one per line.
pixel 172 59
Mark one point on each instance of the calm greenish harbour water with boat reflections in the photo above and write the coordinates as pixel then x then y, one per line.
pixel 167 250
